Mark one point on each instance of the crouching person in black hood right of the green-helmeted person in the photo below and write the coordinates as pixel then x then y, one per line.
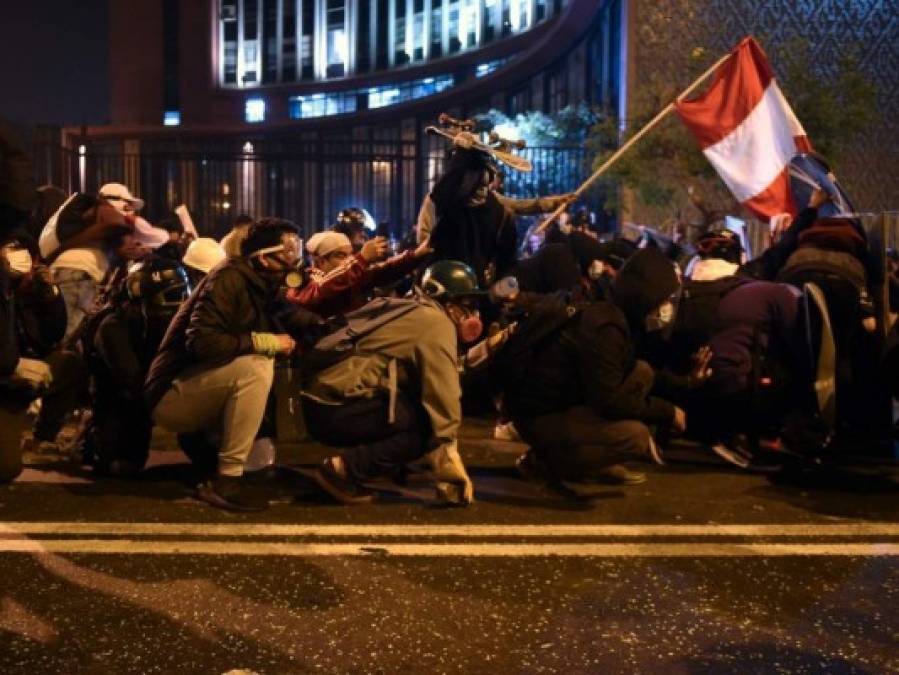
pixel 574 387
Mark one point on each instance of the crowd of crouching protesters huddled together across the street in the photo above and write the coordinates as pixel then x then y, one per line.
pixel 594 352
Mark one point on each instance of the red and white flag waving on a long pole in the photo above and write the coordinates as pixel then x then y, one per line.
pixel 748 131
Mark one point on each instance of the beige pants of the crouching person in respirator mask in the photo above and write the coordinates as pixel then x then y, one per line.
pixel 229 400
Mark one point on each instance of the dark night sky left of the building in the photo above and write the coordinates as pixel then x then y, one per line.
pixel 55 62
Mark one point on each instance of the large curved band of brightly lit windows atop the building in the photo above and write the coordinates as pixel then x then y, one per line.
pixel 269 42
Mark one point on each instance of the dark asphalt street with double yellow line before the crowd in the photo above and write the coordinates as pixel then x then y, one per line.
pixel 702 569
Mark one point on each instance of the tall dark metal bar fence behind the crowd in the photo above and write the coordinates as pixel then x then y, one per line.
pixel 307 182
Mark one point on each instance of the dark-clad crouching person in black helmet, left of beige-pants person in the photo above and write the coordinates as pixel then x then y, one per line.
pixel 119 344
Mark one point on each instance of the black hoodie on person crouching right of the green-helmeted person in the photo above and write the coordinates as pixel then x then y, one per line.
pixel 588 361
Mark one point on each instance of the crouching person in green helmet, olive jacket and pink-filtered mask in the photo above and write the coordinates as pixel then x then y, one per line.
pixel 393 394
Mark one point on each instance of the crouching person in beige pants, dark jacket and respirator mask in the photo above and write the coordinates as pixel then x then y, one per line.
pixel 211 379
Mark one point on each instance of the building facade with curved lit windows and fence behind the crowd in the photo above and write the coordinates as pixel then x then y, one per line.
pixel 305 107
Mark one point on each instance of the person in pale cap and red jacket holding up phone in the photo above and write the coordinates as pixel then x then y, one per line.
pixel 339 280
